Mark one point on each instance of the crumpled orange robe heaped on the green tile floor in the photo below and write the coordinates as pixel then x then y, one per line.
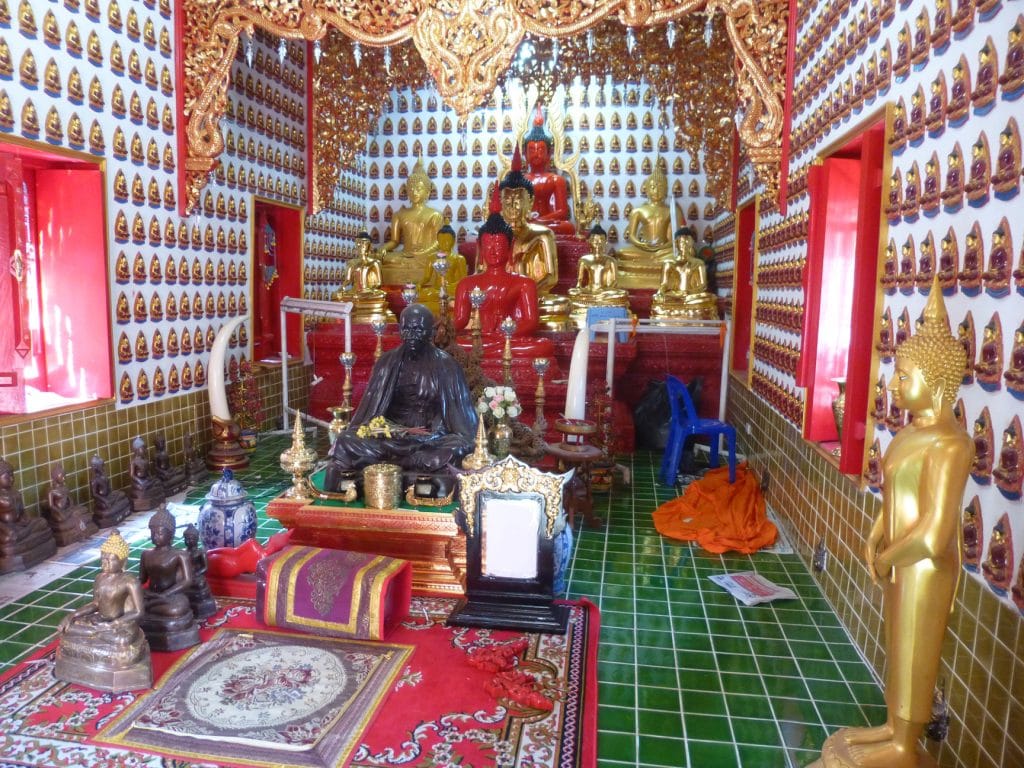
pixel 718 516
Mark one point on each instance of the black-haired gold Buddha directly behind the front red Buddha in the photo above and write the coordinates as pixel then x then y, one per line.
pixel 535 253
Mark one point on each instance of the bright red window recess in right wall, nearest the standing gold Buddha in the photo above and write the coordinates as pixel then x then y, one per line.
pixel 840 288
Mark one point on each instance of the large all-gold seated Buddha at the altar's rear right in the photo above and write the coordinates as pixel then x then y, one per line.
pixel 649 235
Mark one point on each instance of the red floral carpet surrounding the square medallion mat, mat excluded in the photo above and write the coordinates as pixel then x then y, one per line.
pixel 441 710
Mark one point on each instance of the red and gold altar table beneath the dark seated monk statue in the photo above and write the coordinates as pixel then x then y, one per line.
pixel 428 537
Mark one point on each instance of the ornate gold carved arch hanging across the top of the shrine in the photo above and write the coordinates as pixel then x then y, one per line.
pixel 466 46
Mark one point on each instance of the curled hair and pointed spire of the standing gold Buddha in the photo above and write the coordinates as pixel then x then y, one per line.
pixel 934 350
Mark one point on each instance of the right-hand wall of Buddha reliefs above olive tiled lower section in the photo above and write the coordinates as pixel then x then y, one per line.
pixel 955 74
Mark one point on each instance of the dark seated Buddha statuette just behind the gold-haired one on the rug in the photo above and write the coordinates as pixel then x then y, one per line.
pixel 166 574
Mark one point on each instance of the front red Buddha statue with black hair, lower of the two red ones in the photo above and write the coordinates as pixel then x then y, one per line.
pixel 508 295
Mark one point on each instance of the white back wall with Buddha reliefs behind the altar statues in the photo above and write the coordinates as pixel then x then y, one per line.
pixel 615 127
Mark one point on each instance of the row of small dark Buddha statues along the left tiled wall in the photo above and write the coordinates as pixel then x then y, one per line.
pixel 27 540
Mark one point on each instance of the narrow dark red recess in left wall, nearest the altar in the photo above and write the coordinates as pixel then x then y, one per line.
pixel 284 265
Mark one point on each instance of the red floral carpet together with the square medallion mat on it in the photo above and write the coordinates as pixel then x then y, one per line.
pixel 438 708
